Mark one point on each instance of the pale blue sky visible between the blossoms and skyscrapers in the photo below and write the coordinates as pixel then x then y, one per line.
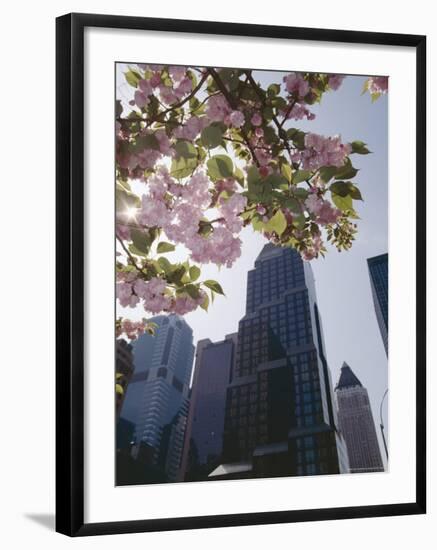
pixel 342 280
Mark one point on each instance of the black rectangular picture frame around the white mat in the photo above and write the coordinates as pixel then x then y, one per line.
pixel 70 273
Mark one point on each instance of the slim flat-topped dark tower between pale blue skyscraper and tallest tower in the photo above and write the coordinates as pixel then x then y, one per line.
pixel 204 434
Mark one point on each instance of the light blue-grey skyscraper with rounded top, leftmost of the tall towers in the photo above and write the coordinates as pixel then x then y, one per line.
pixel 157 397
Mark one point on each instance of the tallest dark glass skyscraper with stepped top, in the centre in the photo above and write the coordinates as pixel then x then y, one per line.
pixel 280 418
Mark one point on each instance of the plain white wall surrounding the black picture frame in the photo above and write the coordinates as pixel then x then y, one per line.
pixel 27 275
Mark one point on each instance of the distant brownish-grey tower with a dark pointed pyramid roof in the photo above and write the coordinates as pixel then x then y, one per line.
pixel 356 423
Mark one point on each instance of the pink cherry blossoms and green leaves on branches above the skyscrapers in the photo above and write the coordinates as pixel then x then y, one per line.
pixel 203 210
